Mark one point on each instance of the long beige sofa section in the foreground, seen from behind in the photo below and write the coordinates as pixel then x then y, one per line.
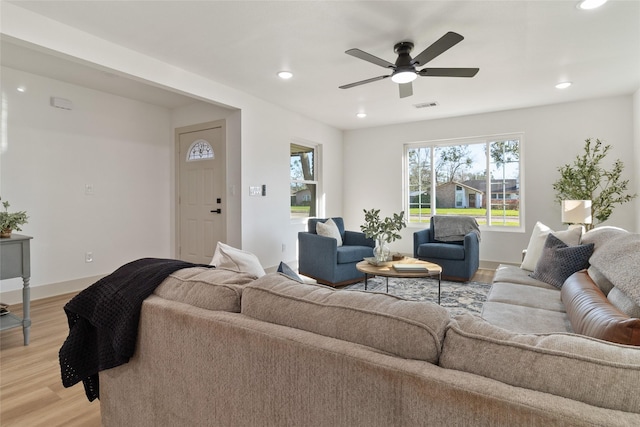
pixel 216 349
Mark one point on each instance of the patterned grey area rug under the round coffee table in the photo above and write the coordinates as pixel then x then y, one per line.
pixel 457 297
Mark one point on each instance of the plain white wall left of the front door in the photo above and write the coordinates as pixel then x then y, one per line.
pixel 121 147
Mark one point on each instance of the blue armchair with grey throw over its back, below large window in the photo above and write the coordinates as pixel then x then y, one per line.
pixel 459 259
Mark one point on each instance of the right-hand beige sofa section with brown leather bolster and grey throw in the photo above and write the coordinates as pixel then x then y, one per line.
pixel 592 302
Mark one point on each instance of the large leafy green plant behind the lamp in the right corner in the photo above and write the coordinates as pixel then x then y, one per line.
pixel 587 179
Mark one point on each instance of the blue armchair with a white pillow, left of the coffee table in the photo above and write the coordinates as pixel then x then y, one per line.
pixel 321 258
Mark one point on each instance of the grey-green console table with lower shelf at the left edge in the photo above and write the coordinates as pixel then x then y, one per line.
pixel 15 254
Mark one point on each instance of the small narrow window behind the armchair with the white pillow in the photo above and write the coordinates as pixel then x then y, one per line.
pixel 304 181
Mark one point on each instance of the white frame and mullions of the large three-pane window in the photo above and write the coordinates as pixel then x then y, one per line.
pixel 487 140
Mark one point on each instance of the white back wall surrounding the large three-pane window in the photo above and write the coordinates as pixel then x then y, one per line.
pixel 554 135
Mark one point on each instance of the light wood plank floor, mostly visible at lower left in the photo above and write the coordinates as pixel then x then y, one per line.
pixel 31 391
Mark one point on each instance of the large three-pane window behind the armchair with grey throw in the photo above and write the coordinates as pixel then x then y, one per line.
pixel 478 177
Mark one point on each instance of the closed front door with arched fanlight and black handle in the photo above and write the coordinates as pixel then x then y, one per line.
pixel 201 191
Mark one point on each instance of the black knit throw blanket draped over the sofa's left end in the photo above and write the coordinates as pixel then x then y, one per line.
pixel 103 320
